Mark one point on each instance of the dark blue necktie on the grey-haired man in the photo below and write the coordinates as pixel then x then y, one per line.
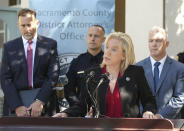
pixel 156 75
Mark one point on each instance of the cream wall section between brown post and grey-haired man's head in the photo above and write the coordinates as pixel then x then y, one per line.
pixel 141 15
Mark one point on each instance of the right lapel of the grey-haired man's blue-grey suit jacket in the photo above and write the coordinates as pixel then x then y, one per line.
pixel 164 72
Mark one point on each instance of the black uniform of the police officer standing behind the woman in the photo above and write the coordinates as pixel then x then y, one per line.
pixel 75 81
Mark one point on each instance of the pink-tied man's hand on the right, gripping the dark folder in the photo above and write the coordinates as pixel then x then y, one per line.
pixel 36 108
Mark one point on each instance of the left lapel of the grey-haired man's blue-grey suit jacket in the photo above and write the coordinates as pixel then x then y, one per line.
pixel 149 74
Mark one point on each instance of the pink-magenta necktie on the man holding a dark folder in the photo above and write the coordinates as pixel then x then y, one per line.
pixel 29 63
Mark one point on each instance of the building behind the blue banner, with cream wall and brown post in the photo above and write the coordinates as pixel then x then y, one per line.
pixel 135 17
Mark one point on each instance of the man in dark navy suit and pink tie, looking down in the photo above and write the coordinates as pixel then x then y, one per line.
pixel 28 62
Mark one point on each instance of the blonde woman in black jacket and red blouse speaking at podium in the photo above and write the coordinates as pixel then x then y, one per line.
pixel 116 87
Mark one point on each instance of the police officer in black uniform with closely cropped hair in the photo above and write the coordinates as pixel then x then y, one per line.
pixel 93 56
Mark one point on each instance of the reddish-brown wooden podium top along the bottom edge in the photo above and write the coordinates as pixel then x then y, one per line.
pixel 84 124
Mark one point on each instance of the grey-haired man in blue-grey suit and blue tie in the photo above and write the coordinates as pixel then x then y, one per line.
pixel 168 89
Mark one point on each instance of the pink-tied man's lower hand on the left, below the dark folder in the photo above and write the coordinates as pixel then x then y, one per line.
pixel 22 111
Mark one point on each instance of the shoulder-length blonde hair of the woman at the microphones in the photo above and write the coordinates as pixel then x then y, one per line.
pixel 127 47
